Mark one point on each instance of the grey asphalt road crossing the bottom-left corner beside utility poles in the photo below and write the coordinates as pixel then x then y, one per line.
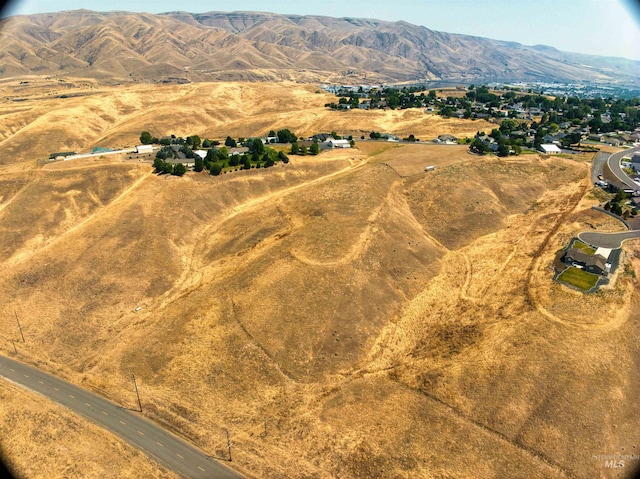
pixel 151 439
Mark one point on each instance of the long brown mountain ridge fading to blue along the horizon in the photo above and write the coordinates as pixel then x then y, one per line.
pixel 124 46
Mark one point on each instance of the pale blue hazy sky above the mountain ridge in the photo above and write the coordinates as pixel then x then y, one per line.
pixel 599 27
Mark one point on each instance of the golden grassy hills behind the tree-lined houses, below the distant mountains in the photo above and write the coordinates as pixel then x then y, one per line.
pixel 35 122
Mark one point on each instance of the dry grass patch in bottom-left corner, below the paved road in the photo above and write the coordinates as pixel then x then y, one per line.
pixel 43 440
